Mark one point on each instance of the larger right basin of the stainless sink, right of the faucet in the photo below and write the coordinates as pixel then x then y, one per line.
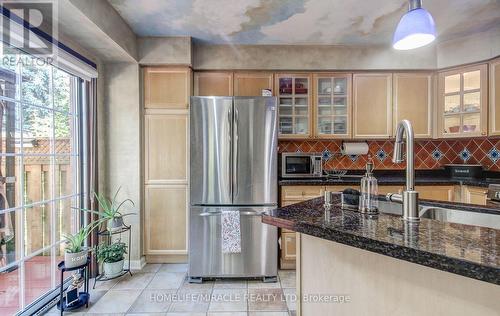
pixel 461 217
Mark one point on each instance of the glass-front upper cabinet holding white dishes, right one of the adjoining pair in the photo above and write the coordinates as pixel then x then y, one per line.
pixel 332 105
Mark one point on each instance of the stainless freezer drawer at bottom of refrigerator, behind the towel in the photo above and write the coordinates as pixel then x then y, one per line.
pixel 258 257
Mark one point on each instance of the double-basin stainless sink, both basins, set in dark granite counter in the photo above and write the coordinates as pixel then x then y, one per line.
pixel 445 214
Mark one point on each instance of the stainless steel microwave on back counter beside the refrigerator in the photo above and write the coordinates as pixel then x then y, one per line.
pixel 301 165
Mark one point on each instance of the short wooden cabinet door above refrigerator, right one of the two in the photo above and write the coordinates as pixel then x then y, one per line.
pixel 250 84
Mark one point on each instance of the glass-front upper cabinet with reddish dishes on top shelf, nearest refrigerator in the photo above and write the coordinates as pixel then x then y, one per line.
pixel 294 100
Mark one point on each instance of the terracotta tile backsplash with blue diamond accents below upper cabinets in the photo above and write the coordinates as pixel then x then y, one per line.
pixel 429 154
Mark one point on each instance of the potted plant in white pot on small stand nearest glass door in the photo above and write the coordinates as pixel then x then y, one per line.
pixel 75 253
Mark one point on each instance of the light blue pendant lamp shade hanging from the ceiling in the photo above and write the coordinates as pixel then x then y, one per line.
pixel 415 29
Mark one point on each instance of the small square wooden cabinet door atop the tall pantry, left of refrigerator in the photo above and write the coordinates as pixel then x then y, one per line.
pixel 167 88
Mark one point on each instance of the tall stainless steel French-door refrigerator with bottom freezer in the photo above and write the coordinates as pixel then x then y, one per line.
pixel 233 168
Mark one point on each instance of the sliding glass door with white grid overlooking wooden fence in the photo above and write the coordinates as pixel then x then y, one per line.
pixel 40 170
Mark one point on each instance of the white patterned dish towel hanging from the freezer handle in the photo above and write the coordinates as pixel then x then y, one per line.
pixel 231 231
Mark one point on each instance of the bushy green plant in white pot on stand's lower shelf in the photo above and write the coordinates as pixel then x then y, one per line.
pixel 112 258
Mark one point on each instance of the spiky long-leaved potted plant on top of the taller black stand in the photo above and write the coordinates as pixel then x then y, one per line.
pixel 110 210
